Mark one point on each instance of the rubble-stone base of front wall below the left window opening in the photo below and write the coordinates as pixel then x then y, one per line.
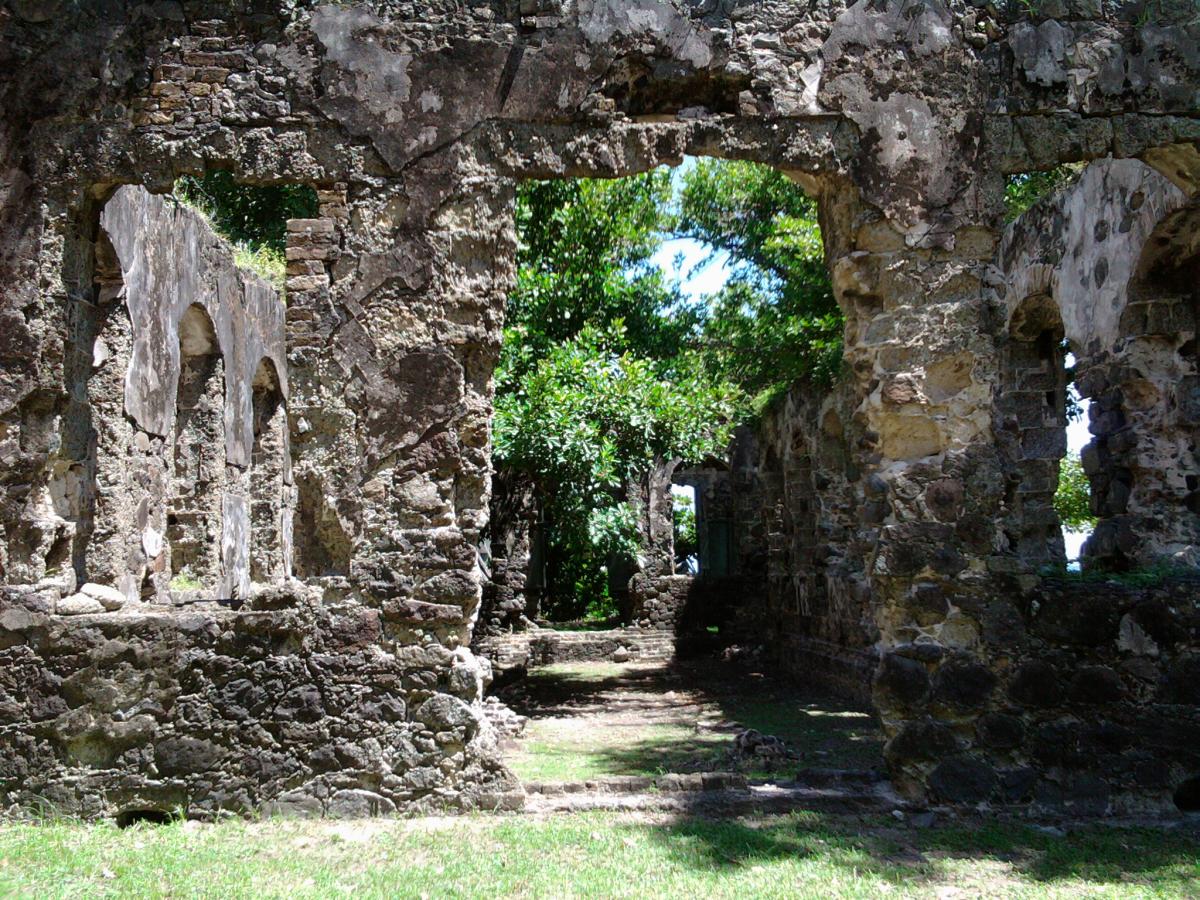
pixel 293 709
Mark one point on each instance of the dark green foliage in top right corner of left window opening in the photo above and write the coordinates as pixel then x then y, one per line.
pixel 255 217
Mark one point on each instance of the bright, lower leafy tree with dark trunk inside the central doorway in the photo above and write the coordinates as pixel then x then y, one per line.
pixel 585 421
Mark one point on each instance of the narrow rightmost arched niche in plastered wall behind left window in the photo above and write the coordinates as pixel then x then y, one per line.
pixel 269 511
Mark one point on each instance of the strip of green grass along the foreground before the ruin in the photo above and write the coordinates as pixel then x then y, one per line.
pixel 591 855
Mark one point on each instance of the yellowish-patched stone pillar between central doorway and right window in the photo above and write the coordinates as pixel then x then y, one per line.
pixel 921 346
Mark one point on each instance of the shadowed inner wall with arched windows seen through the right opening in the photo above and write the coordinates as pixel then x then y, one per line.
pixel 1102 263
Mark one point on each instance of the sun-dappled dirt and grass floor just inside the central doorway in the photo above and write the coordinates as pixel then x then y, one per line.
pixel 602 719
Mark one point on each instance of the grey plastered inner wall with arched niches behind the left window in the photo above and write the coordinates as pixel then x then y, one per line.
pixel 153 477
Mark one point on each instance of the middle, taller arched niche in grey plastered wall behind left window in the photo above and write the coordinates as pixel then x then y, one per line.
pixel 199 464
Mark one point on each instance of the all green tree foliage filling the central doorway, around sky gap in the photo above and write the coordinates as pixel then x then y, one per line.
pixel 607 367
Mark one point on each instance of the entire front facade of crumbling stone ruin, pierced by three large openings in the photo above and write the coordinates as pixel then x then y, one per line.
pixel 351 688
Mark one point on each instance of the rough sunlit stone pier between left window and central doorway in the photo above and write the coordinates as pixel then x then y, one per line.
pixel 395 305
